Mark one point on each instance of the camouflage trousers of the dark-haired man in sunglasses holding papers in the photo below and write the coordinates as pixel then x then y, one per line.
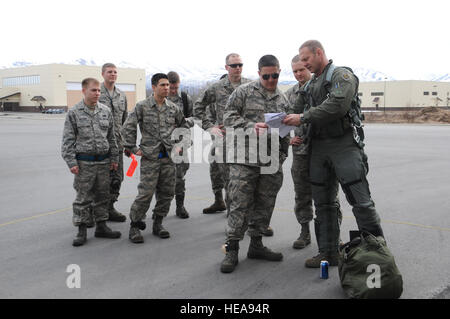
pixel 252 200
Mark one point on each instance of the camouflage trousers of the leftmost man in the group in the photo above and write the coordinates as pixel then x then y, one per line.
pixel 92 187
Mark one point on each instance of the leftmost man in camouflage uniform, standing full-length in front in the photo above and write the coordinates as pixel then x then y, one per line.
pixel 89 148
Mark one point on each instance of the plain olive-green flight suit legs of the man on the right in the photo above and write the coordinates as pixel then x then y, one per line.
pixel 333 161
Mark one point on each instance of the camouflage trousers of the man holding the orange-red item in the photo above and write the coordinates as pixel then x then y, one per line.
pixel 157 177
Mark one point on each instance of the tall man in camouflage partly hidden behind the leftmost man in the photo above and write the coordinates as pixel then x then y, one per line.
pixel 116 100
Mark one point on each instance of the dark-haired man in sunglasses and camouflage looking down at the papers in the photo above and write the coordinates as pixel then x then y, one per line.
pixel 252 192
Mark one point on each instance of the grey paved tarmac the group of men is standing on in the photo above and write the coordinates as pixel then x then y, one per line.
pixel 409 178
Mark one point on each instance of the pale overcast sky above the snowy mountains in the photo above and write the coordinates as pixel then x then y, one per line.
pixel 403 39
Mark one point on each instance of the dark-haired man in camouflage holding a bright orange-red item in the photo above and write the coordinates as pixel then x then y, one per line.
pixel 157 118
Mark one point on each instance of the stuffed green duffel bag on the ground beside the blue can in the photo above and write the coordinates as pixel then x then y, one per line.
pixel 367 269
